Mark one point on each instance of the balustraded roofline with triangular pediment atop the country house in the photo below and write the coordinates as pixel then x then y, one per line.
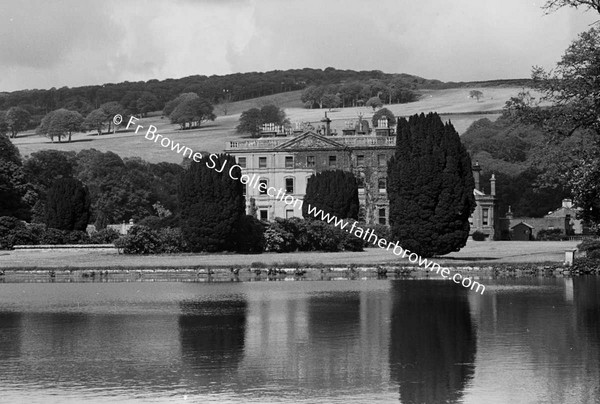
pixel 312 140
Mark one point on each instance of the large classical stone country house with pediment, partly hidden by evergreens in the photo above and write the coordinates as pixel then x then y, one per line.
pixel 285 160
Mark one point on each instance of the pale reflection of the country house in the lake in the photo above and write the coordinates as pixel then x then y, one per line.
pixel 290 339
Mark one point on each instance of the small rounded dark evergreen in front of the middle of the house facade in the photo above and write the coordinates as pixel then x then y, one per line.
pixel 335 192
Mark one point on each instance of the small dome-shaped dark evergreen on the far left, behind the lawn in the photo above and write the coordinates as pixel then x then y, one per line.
pixel 68 205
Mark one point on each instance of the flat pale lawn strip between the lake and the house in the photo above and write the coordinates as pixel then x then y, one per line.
pixel 474 253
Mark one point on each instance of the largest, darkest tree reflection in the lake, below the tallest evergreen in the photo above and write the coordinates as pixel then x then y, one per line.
pixel 433 341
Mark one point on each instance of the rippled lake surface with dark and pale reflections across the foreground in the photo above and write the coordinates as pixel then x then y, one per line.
pixel 410 341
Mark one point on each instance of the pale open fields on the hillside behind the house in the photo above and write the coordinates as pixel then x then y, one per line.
pixel 454 104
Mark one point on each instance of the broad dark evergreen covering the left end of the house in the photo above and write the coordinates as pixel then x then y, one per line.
pixel 211 204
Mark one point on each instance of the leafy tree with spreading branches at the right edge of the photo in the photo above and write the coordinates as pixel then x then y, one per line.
pixel 573 92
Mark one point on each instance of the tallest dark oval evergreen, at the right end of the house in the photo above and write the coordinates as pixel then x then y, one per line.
pixel 430 187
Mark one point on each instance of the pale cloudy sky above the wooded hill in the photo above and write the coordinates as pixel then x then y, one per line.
pixel 86 42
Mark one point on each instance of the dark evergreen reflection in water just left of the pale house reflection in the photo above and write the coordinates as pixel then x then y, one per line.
pixel 212 335
